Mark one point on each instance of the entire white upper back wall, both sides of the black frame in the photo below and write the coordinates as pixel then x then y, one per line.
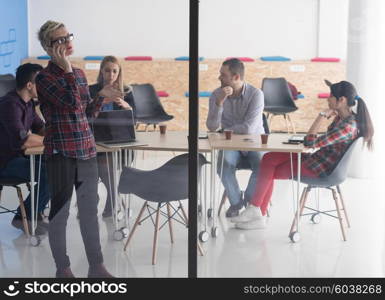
pixel 160 28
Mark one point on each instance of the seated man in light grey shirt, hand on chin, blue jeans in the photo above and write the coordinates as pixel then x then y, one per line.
pixel 237 106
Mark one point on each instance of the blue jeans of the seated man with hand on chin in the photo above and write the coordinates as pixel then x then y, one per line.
pixel 229 180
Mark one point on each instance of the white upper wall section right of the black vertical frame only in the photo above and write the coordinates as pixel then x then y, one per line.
pixel 258 28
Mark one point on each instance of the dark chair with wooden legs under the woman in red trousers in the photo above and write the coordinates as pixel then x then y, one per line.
pixel 331 182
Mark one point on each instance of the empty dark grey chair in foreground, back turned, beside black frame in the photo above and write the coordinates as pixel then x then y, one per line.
pixel 163 185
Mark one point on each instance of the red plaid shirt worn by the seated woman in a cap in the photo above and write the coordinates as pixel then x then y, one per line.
pixel 333 144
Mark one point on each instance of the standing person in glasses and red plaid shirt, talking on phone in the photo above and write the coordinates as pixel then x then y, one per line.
pixel 70 148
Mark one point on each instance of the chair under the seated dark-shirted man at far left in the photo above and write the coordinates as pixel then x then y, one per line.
pixel 15 183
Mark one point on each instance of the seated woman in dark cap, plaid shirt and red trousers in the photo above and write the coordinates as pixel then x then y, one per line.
pixel 345 128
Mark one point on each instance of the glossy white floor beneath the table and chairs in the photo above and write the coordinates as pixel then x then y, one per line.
pixel 234 253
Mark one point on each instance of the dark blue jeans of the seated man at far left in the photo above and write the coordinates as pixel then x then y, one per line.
pixel 20 167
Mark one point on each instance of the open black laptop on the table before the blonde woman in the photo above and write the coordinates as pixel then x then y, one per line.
pixel 115 129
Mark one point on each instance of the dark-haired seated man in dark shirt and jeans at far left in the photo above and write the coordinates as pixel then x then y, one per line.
pixel 21 128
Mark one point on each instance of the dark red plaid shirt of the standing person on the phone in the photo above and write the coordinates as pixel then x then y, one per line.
pixel 66 105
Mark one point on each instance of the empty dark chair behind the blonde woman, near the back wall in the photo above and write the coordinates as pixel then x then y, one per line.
pixel 148 108
